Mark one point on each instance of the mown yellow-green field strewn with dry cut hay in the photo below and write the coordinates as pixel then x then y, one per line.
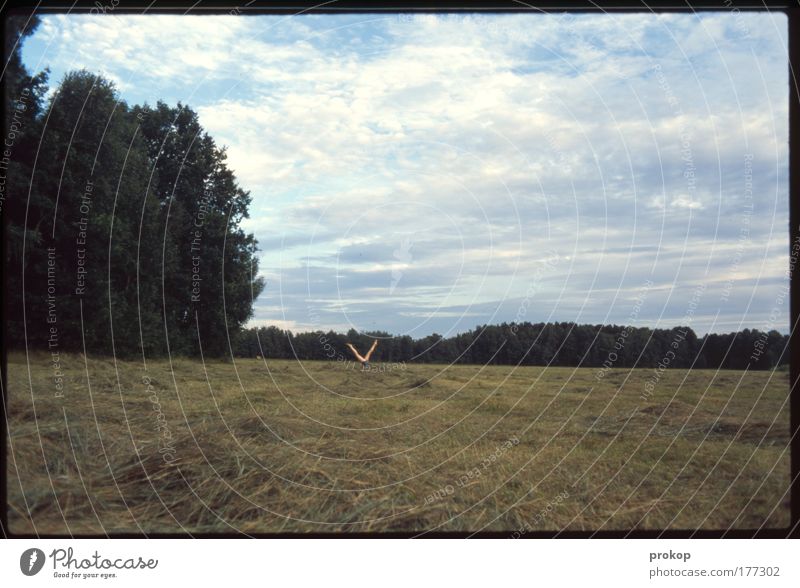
pixel 281 446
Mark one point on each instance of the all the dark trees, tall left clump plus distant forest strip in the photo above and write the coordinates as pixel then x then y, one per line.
pixel 120 220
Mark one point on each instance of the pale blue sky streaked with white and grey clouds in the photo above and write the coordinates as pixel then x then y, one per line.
pixel 430 173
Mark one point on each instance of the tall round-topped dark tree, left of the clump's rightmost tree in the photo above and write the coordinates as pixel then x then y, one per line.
pixel 90 179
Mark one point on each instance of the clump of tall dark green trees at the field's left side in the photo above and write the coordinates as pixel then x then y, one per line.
pixel 123 222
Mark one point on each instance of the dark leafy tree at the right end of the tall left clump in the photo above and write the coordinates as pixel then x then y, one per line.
pixel 211 264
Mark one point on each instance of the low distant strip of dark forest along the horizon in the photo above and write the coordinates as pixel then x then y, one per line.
pixel 555 344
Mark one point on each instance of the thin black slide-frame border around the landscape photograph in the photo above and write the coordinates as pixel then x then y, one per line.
pixel 791 9
